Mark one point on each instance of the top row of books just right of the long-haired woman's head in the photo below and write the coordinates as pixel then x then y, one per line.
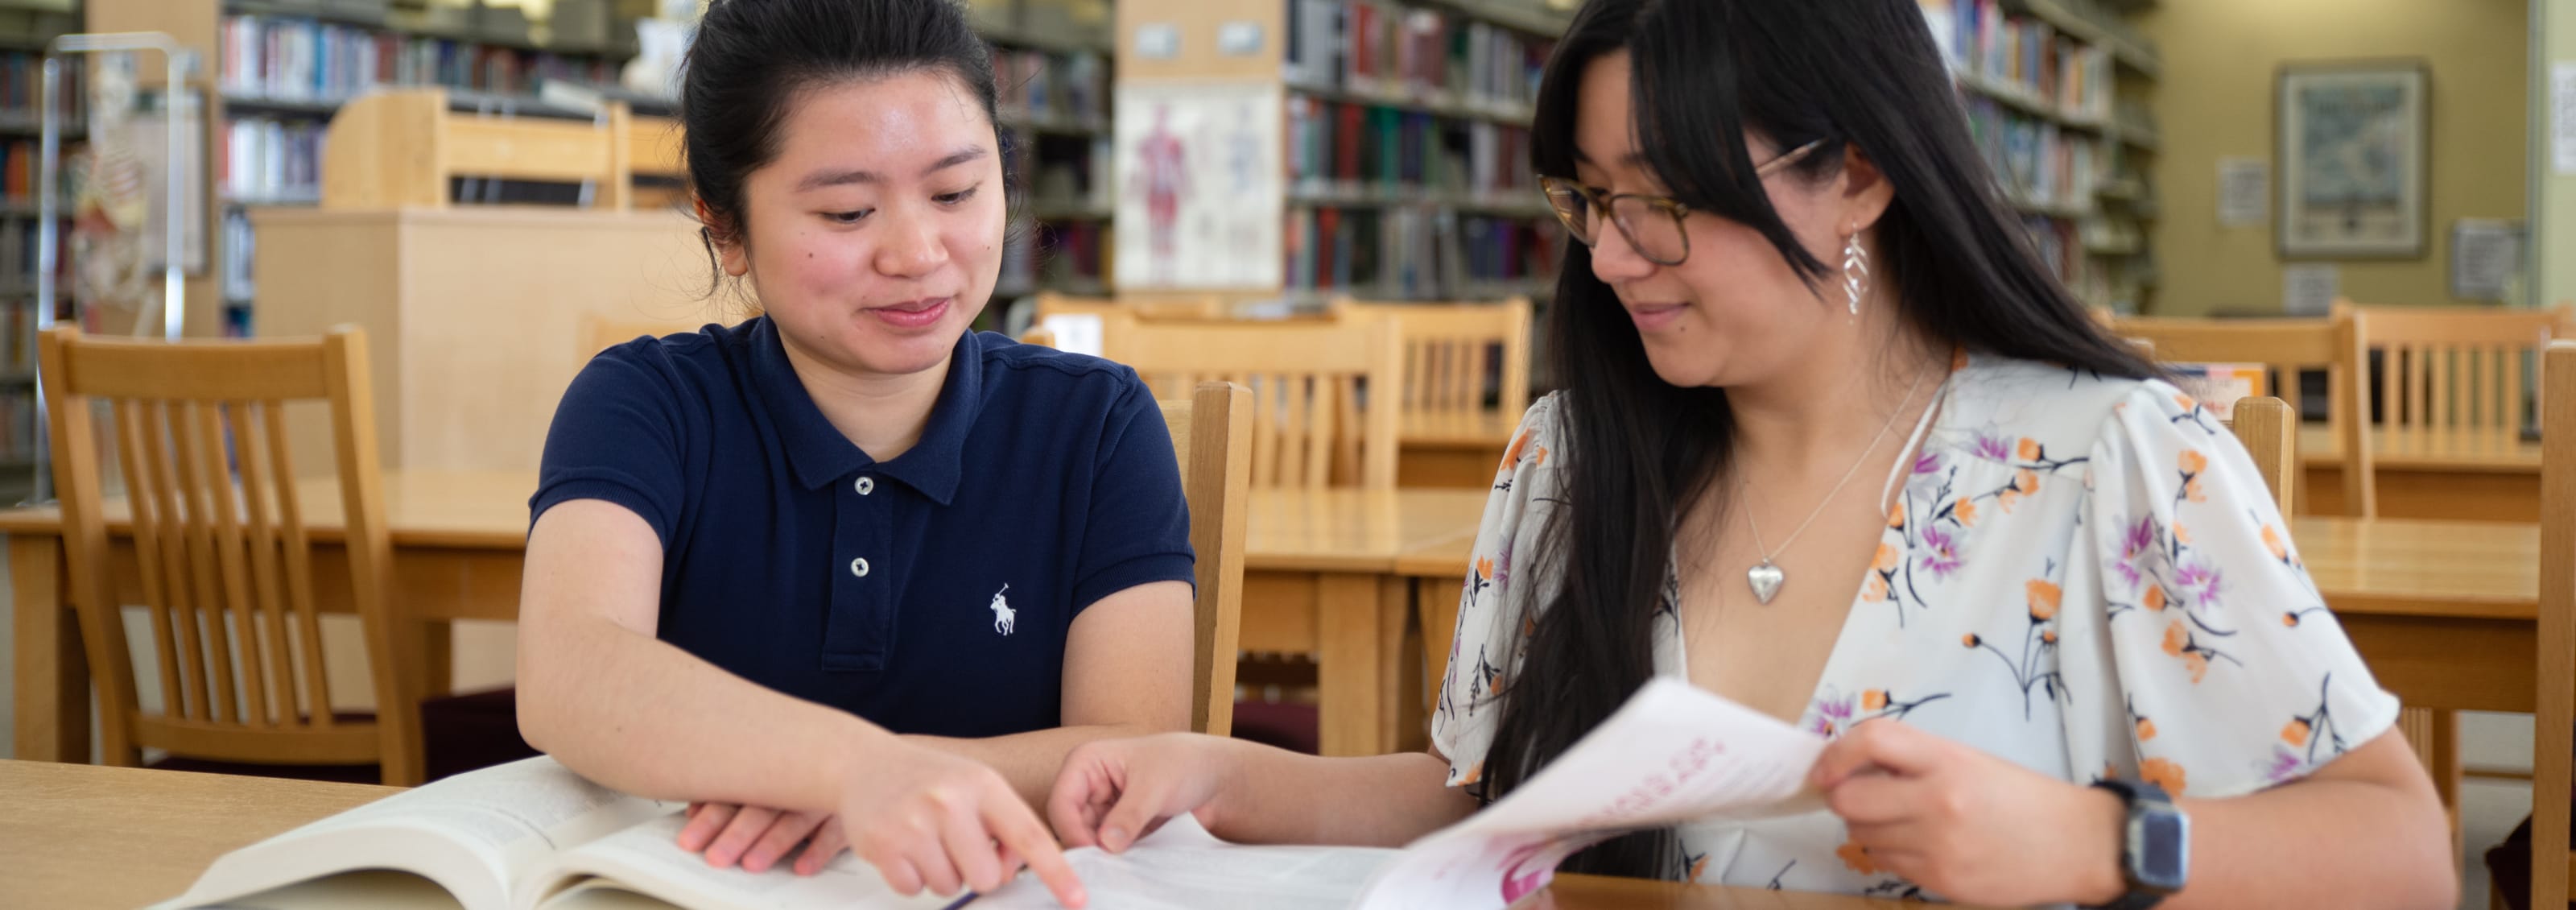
pixel 2023 58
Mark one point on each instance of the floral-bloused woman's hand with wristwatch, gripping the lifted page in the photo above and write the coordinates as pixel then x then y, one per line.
pixel 1972 826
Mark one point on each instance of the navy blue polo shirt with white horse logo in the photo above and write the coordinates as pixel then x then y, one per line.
pixel 926 594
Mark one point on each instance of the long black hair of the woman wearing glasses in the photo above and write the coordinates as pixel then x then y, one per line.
pixel 1704 73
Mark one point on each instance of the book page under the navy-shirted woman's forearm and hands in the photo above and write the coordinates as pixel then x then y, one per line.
pixel 648 860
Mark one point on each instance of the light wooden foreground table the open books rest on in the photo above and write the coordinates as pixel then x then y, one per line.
pixel 86 837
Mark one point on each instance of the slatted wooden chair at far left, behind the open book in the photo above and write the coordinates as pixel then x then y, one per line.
pixel 223 550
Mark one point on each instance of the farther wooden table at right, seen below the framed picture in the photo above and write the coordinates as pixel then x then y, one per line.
pixel 2430 476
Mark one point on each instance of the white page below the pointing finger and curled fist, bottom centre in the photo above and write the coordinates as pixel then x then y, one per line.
pixel 1184 867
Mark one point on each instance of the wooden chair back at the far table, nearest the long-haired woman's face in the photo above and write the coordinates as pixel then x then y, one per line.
pixel 1449 352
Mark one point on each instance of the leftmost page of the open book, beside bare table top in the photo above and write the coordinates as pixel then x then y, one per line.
pixel 473 834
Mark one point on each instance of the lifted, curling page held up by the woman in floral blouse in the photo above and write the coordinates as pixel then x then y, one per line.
pixel 1671 754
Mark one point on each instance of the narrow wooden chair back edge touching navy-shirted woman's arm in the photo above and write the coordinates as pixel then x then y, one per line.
pixel 1212 434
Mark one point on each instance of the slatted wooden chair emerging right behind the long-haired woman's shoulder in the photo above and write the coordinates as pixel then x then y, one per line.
pixel 2284 349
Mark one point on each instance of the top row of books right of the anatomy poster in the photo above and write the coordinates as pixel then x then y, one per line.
pixel 1408 50
